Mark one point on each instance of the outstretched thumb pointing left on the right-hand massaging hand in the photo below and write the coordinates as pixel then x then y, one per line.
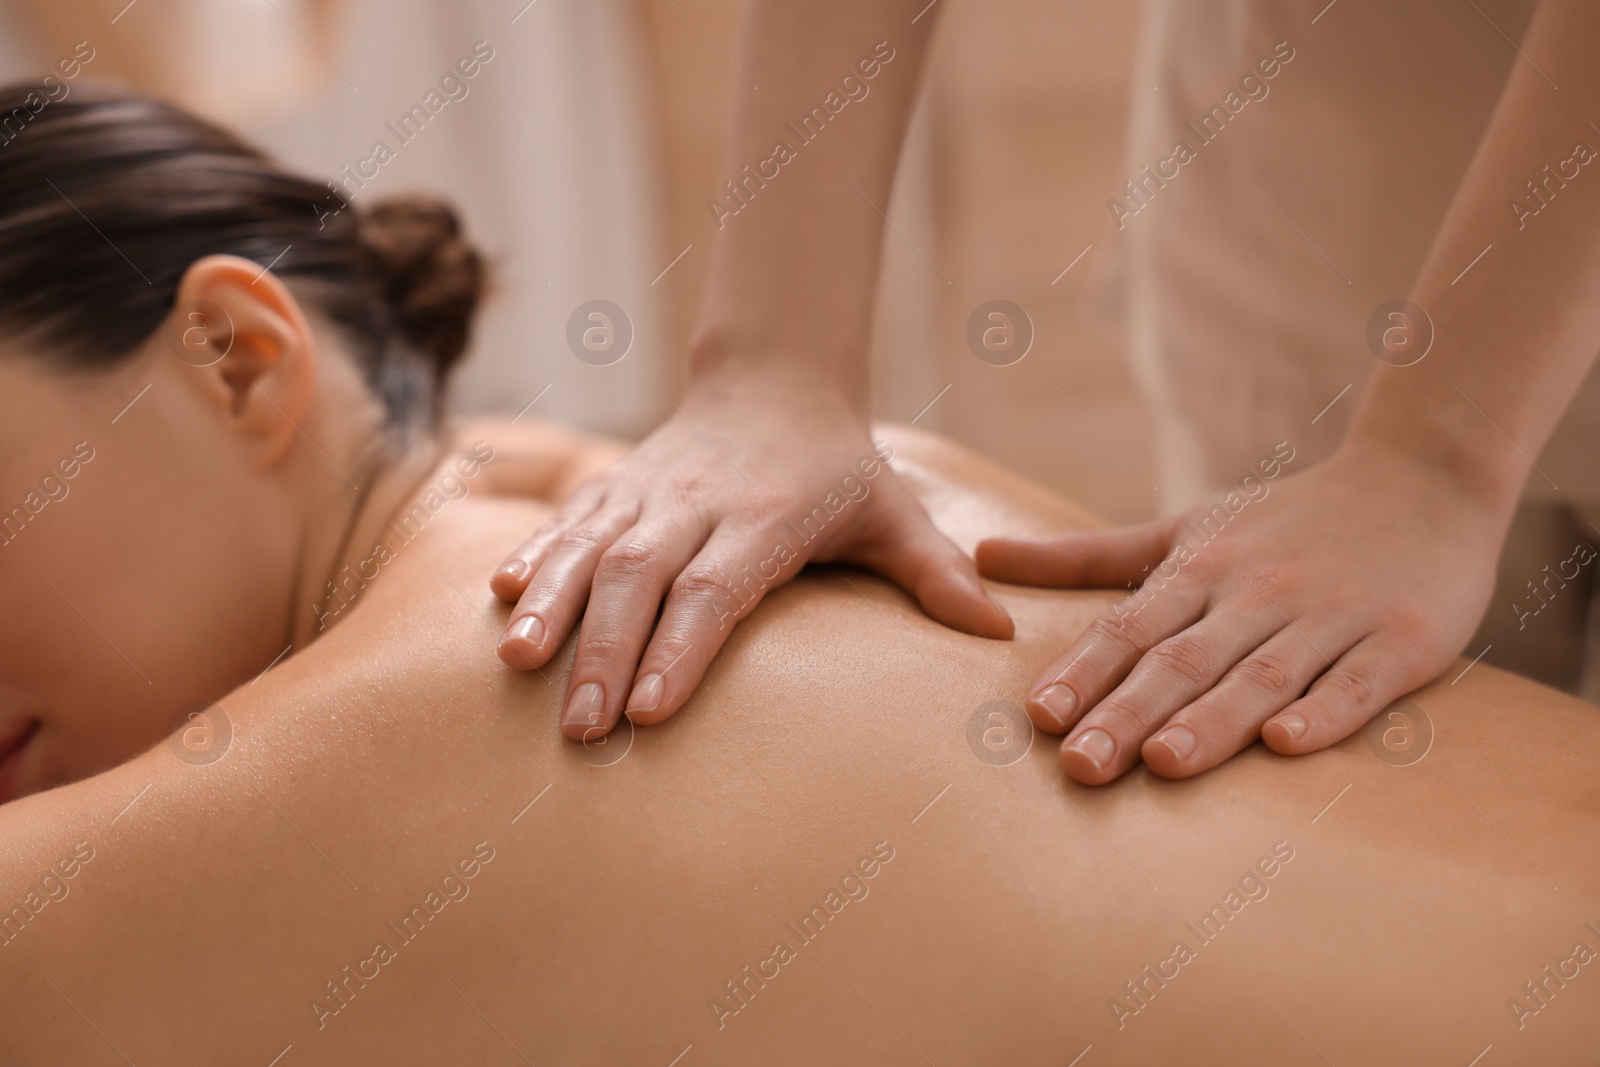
pixel 1100 559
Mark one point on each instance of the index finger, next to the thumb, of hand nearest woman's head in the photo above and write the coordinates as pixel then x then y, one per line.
pixel 710 597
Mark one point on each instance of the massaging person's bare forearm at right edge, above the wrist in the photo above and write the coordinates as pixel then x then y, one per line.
pixel 1519 332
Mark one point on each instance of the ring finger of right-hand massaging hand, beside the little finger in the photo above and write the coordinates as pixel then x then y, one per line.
pixel 1228 719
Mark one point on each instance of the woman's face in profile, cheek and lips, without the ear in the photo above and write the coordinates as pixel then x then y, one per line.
pixel 148 561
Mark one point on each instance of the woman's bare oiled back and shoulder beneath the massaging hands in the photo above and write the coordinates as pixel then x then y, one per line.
pixel 362 770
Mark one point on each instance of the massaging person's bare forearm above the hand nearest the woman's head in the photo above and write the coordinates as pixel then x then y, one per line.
pixel 794 270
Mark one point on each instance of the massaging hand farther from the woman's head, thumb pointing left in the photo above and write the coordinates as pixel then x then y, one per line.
pixel 1321 602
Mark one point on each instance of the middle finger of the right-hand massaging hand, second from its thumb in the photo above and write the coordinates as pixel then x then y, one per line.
pixel 1167 679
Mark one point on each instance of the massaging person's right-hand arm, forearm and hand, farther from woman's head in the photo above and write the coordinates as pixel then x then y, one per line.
pixel 1359 580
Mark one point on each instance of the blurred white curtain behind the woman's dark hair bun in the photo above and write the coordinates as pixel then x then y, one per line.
pixel 550 161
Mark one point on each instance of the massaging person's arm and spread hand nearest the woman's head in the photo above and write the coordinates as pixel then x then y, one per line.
pixel 767 463
